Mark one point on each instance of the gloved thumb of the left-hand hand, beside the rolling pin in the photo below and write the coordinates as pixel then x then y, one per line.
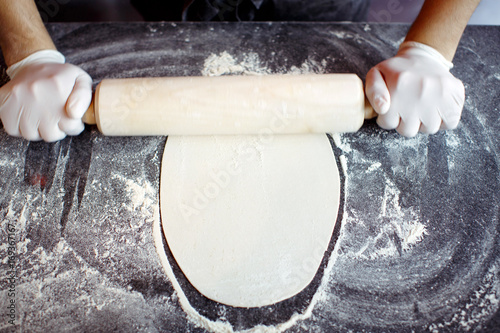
pixel 80 97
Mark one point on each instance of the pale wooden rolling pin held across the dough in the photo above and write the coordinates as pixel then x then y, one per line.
pixel 277 104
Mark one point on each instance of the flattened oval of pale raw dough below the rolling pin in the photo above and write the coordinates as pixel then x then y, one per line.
pixel 248 218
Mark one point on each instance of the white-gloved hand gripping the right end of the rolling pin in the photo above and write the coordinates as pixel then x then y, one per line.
pixel 415 91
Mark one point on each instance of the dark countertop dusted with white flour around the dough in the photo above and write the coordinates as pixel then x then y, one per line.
pixel 417 249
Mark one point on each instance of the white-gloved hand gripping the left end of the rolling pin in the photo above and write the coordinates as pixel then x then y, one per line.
pixel 45 98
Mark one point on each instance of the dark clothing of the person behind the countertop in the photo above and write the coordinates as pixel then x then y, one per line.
pixel 253 10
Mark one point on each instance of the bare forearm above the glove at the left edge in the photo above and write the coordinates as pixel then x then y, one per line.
pixel 22 31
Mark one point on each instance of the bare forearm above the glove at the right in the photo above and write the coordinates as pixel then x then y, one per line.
pixel 441 23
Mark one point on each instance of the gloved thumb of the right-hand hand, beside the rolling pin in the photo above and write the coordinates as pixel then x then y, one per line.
pixel 377 91
